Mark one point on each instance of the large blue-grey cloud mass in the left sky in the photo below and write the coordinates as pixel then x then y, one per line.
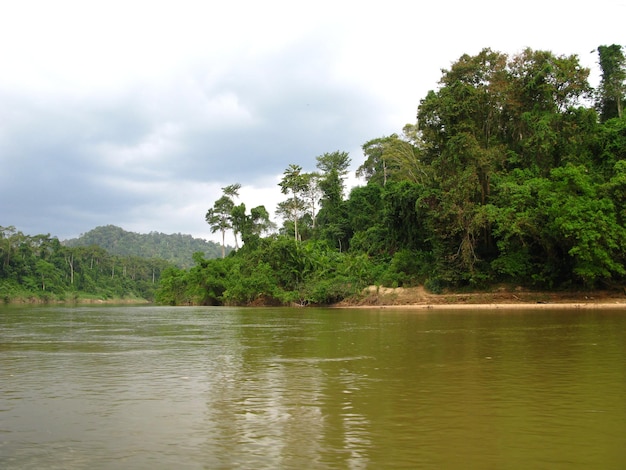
pixel 70 163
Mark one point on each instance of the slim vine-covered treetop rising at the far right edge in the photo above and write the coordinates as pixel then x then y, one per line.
pixel 612 88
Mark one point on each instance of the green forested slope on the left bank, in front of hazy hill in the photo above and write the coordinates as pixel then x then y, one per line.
pixel 40 268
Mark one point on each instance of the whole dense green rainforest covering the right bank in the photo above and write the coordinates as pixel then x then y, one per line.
pixel 514 172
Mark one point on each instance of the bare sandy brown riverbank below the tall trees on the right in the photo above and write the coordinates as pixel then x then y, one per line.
pixel 419 298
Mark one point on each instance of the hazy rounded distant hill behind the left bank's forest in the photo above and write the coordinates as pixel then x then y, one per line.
pixel 175 248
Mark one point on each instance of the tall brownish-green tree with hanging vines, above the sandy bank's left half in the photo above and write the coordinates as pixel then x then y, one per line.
pixel 461 127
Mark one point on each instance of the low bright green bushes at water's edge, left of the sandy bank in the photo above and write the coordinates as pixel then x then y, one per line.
pixel 275 271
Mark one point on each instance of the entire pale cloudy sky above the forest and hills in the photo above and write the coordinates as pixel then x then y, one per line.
pixel 136 113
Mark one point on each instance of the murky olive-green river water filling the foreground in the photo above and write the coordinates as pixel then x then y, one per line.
pixel 157 387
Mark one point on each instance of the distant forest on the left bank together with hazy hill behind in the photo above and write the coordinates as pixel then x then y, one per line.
pixel 105 263
